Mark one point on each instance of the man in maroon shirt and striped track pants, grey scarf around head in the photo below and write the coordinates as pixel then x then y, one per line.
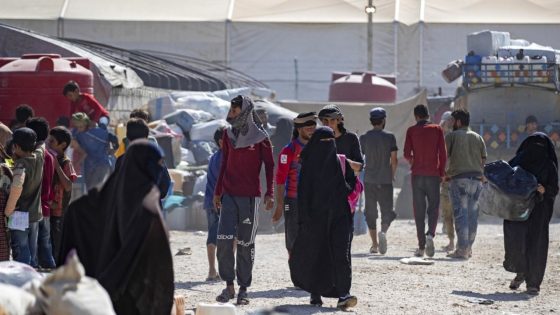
pixel 246 146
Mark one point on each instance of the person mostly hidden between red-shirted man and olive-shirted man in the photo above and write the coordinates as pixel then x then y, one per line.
pixel 446 207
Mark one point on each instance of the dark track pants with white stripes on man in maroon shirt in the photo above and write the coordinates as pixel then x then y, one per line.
pixel 238 219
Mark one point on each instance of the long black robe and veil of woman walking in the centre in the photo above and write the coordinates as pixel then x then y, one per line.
pixel 320 262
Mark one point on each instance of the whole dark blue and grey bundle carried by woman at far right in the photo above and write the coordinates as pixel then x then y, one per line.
pixel 509 193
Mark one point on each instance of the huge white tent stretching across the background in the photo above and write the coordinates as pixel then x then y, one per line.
pixel 285 43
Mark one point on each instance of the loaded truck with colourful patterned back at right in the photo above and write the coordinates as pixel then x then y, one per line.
pixel 504 91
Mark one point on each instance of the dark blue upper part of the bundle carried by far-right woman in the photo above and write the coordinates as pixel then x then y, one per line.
pixel 512 181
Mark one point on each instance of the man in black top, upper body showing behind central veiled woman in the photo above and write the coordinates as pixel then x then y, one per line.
pixel 347 143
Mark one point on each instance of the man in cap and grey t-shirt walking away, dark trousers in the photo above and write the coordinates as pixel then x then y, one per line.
pixel 380 150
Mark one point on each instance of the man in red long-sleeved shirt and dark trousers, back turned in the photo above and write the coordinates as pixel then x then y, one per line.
pixel 424 148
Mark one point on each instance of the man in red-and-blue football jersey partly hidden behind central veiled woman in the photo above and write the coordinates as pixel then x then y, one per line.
pixel 287 174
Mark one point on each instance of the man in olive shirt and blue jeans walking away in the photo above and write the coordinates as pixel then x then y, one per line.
pixel 467 155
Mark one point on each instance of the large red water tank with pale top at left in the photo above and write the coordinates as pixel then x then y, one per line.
pixel 37 80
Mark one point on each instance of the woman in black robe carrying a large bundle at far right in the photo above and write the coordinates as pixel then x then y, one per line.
pixel 526 242
